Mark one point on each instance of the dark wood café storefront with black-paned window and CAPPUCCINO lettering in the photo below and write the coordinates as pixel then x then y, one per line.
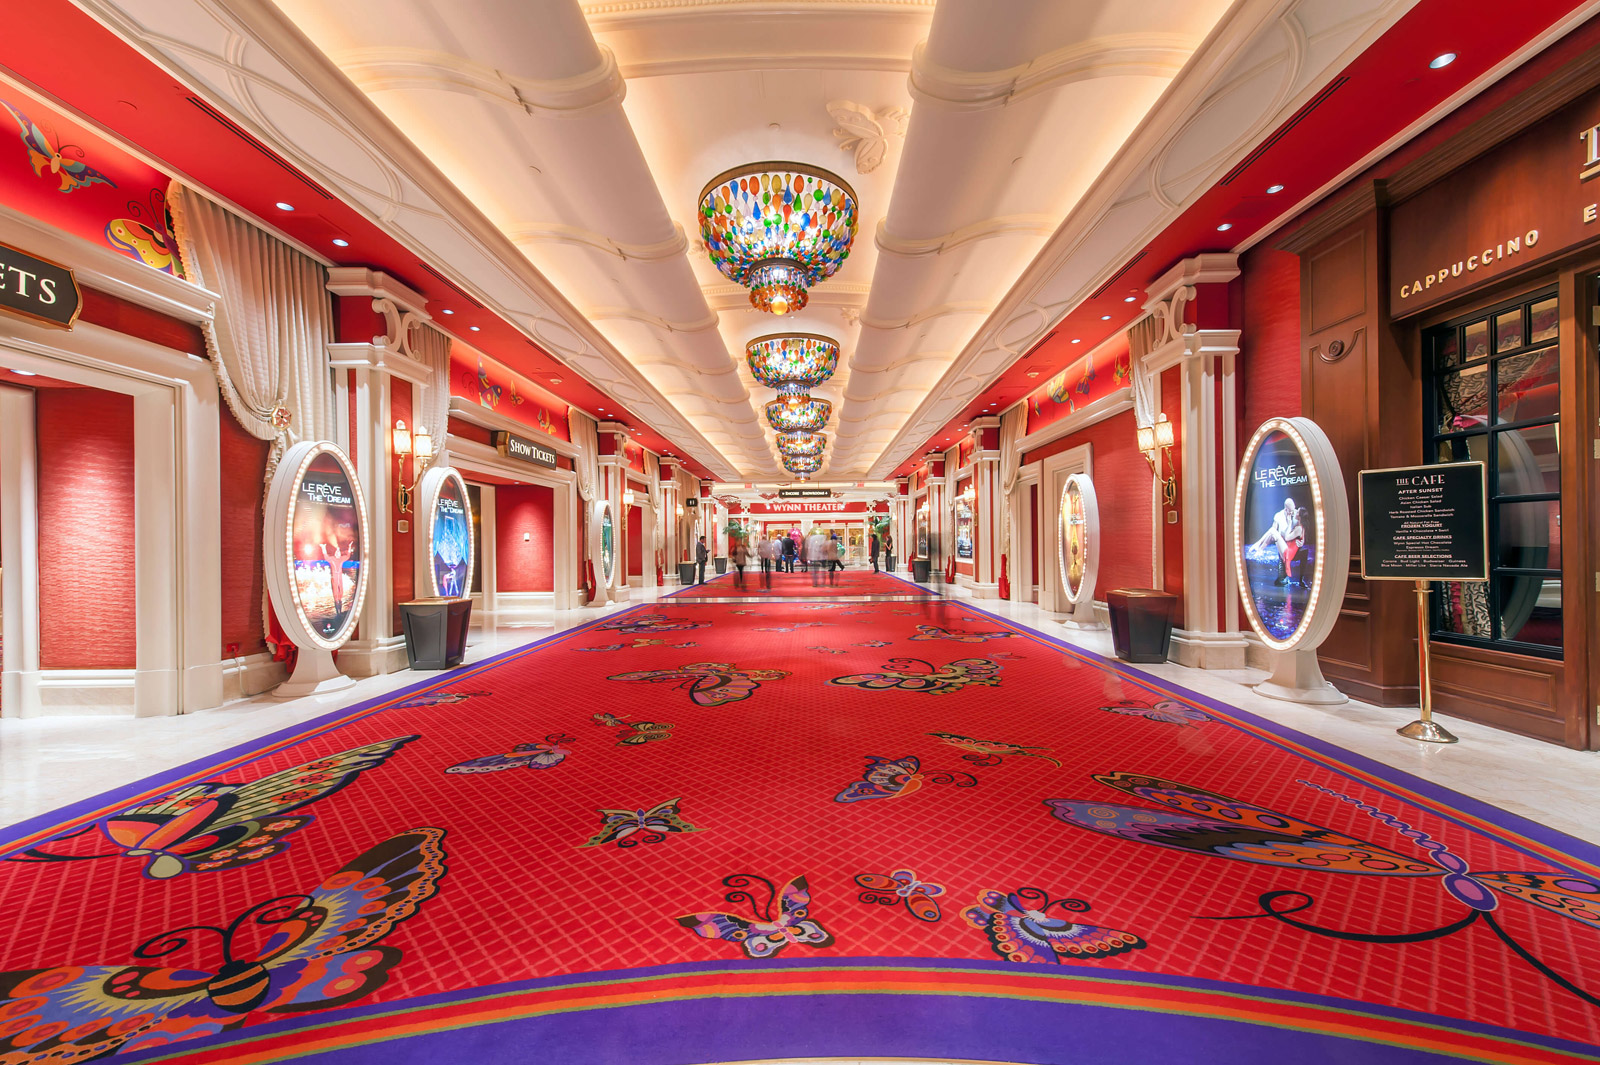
pixel 1449 308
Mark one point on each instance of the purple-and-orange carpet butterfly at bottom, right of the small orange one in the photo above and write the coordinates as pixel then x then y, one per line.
pixel 1022 928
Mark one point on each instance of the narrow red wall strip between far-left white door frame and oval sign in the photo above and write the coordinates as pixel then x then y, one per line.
pixel 242 492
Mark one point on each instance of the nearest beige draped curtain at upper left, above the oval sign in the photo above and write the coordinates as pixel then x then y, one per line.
pixel 270 338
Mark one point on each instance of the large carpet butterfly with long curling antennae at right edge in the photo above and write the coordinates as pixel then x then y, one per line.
pixel 1196 821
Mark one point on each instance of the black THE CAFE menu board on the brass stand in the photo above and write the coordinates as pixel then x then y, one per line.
pixel 1425 524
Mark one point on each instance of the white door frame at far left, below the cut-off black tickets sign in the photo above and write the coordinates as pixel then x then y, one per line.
pixel 178 552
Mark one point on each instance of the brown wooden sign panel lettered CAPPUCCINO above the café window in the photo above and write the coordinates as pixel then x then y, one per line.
pixel 1522 202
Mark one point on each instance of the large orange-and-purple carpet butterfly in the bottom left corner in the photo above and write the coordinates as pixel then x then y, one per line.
pixel 286 955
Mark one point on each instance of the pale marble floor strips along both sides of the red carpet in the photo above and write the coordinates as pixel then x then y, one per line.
pixel 47 764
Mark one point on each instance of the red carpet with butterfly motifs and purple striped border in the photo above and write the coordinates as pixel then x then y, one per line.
pixel 713 832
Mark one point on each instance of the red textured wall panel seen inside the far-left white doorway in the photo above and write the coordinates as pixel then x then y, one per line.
pixel 86 530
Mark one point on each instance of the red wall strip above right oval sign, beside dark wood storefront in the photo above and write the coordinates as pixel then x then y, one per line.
pixel 1270 341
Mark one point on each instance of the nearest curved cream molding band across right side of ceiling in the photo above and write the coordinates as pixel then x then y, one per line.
pixel 1121 55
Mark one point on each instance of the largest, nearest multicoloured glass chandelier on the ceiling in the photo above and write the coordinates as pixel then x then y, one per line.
pixel 778 229
